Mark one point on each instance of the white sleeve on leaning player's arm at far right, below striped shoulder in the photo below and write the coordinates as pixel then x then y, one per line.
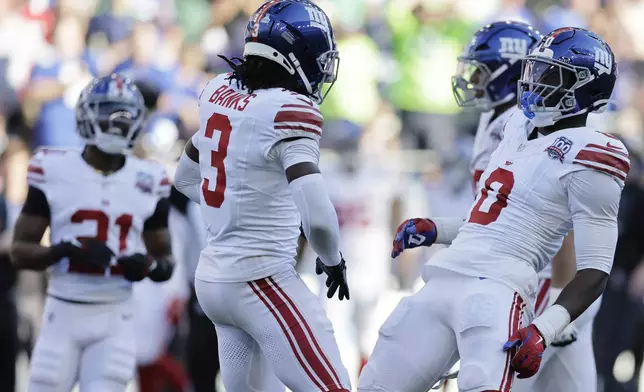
pixel 593 199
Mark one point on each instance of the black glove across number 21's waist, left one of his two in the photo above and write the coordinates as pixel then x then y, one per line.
pixel 90 252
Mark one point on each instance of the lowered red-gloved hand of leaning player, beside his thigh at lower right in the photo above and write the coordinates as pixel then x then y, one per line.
pixel 528 346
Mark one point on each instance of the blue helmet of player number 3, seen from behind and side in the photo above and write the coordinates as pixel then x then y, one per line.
pixel 296 34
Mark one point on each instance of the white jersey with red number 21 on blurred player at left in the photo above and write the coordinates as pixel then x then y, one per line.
pixel 84 204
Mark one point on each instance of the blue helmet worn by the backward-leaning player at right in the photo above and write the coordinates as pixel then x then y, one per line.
pixel 572 71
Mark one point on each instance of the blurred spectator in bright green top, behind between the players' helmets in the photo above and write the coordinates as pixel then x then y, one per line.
pixel 427 37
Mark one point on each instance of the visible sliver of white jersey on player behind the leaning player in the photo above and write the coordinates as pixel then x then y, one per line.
pixel 488 136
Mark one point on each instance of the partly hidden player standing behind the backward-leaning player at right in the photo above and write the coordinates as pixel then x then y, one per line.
pixel 492 47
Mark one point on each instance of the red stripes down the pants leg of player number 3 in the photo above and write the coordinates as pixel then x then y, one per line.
pixel 291 323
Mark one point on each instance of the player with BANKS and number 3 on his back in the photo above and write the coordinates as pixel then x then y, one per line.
pixel 253 167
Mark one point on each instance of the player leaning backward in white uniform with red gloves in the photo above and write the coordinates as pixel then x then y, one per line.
pixel 550 174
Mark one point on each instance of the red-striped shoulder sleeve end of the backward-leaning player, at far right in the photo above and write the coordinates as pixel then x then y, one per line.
pixel 604 153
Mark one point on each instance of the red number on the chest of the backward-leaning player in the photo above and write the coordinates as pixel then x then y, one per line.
pixel 493 198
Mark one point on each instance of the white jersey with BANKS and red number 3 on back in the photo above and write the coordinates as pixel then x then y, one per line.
pixel 251 219
